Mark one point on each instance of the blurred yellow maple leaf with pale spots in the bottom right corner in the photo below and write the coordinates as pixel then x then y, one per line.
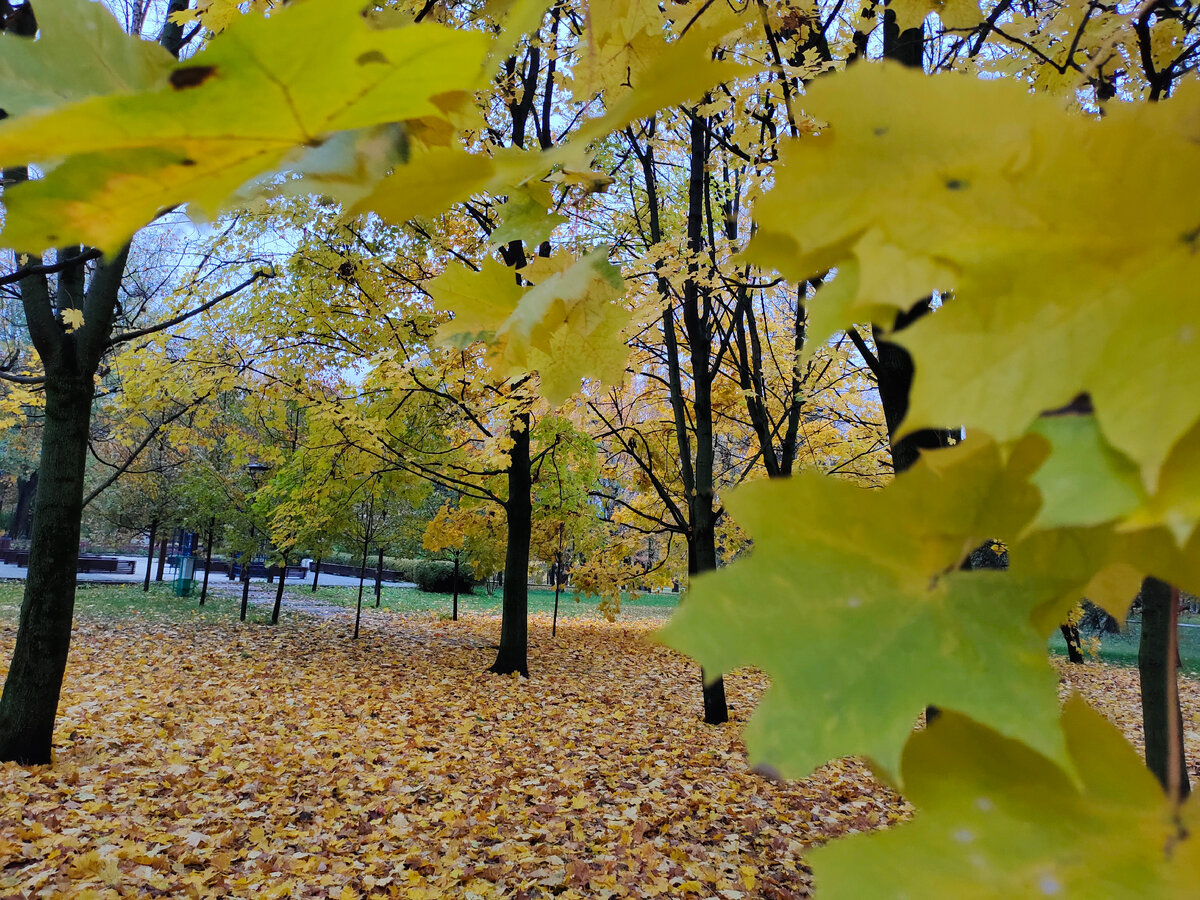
pixel 997 820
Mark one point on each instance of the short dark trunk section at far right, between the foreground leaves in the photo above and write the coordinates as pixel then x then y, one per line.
pixel 1157 668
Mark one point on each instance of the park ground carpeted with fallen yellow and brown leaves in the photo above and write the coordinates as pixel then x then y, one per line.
pixel 202 758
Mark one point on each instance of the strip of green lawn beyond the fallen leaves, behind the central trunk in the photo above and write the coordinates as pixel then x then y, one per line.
pixel 541 601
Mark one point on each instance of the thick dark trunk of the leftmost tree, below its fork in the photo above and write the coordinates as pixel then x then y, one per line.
pixel 31 698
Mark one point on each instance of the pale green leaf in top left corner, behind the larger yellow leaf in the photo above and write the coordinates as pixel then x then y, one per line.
pixel 81 52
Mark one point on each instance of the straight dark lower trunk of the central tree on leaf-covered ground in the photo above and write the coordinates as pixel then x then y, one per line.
pixel 514 651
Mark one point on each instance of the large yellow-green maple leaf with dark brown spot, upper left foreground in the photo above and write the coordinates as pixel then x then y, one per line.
pixel 262 95
